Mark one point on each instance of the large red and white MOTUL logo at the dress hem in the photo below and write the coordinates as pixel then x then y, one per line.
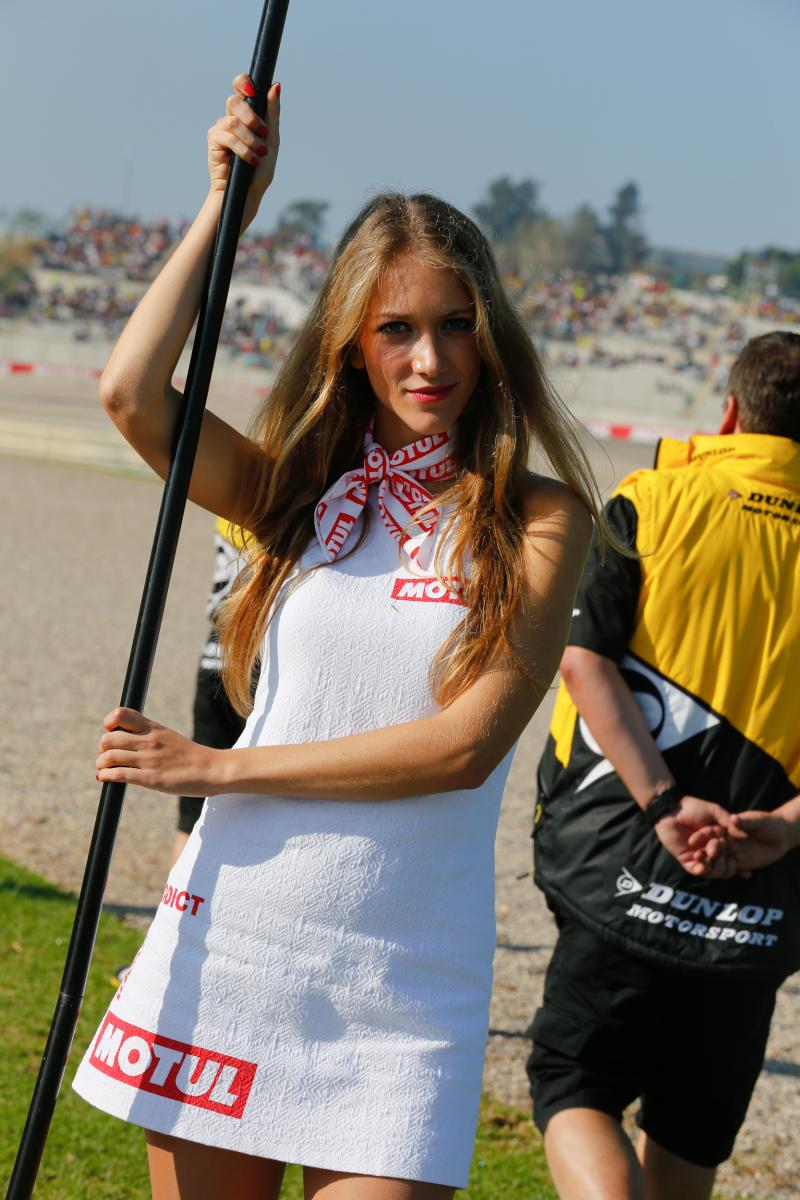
pixel 173 1070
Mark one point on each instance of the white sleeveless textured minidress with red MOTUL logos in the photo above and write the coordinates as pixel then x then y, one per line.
pixel 315 987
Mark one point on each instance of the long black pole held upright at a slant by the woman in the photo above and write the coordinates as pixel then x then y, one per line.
pixel 146 638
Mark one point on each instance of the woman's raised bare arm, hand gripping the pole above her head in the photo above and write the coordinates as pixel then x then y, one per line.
pixel 136 387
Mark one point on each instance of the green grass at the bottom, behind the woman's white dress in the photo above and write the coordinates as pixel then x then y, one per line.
pixel 91 1155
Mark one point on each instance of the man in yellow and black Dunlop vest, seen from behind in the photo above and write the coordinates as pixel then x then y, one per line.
pixel 678 711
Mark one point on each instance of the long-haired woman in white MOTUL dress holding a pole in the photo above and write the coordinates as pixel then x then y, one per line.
pixel 316 985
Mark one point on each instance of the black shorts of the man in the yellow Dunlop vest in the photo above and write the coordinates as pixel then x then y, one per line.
pixel 613 1029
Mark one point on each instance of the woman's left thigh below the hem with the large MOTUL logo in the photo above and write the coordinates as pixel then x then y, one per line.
pixel 188 1171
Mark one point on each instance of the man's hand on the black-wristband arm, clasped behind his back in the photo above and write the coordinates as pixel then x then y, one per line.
pixel 696 836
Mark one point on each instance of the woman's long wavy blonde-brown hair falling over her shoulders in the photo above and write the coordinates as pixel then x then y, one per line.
pixel 311 431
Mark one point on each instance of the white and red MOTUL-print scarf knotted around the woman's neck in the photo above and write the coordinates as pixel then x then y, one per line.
pixel 401 495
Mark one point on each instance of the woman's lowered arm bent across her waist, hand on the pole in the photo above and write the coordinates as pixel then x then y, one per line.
pixel 454 749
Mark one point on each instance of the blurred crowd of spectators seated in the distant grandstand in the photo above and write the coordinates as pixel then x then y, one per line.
pixel 91 274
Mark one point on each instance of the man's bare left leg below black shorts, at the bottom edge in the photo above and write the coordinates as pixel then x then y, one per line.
pixel 591 1157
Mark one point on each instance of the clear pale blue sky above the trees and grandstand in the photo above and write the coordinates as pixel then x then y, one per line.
pixel 109 104
